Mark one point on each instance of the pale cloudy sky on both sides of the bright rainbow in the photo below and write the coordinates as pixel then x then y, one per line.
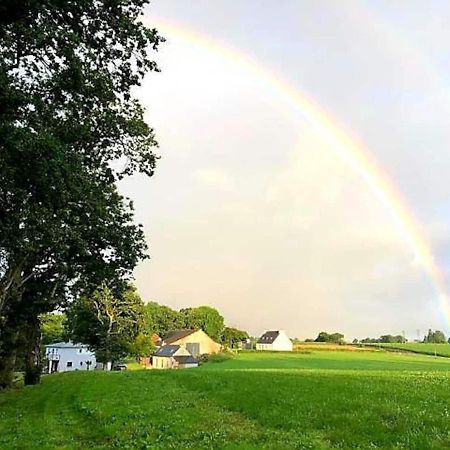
pixel 250 211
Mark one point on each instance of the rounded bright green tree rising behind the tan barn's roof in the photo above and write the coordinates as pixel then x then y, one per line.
pixel 203 317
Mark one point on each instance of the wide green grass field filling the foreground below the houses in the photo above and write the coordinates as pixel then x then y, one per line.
pixel 322 400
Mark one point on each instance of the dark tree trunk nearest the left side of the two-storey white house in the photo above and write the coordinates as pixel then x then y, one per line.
pixel 33 363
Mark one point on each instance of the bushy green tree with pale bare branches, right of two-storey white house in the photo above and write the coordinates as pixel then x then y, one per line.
pixel 110 324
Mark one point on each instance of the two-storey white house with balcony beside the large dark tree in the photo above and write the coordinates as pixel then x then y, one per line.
pixel 67 356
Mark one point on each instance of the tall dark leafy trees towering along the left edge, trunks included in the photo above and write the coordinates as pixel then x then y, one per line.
pixel 69 129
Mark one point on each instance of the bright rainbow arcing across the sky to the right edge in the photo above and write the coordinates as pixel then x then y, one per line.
pixel 345 145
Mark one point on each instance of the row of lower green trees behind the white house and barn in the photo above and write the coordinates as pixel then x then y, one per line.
pixel 115 326
